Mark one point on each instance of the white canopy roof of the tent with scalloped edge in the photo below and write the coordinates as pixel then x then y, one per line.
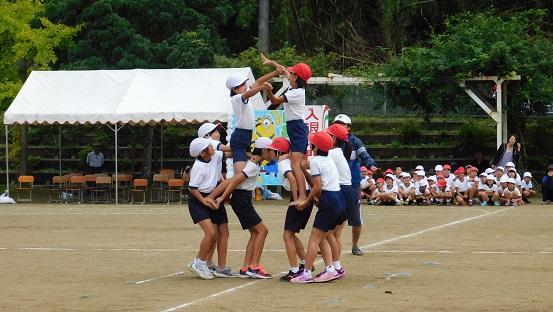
pixel 137 96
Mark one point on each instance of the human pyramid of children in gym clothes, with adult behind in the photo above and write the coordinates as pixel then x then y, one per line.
pixel 326 180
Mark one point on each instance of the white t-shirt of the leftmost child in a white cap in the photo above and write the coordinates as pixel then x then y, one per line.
pixel 205 175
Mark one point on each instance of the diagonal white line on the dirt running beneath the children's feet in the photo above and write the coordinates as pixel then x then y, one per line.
pixel 184 305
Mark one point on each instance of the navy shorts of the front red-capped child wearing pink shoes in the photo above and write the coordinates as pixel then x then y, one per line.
pixel 331 206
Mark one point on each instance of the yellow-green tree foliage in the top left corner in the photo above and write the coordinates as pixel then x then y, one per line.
pixel 27 44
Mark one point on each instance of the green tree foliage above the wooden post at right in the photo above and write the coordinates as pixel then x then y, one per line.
pixel 424 78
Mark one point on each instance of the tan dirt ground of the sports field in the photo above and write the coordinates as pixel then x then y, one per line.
pixel 59 257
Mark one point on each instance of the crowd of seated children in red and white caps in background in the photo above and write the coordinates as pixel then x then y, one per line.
pixel 465 186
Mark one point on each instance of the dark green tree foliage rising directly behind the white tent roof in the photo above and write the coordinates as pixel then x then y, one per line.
pixel 124 34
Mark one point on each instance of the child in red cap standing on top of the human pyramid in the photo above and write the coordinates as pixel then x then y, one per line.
pixel 294 100
